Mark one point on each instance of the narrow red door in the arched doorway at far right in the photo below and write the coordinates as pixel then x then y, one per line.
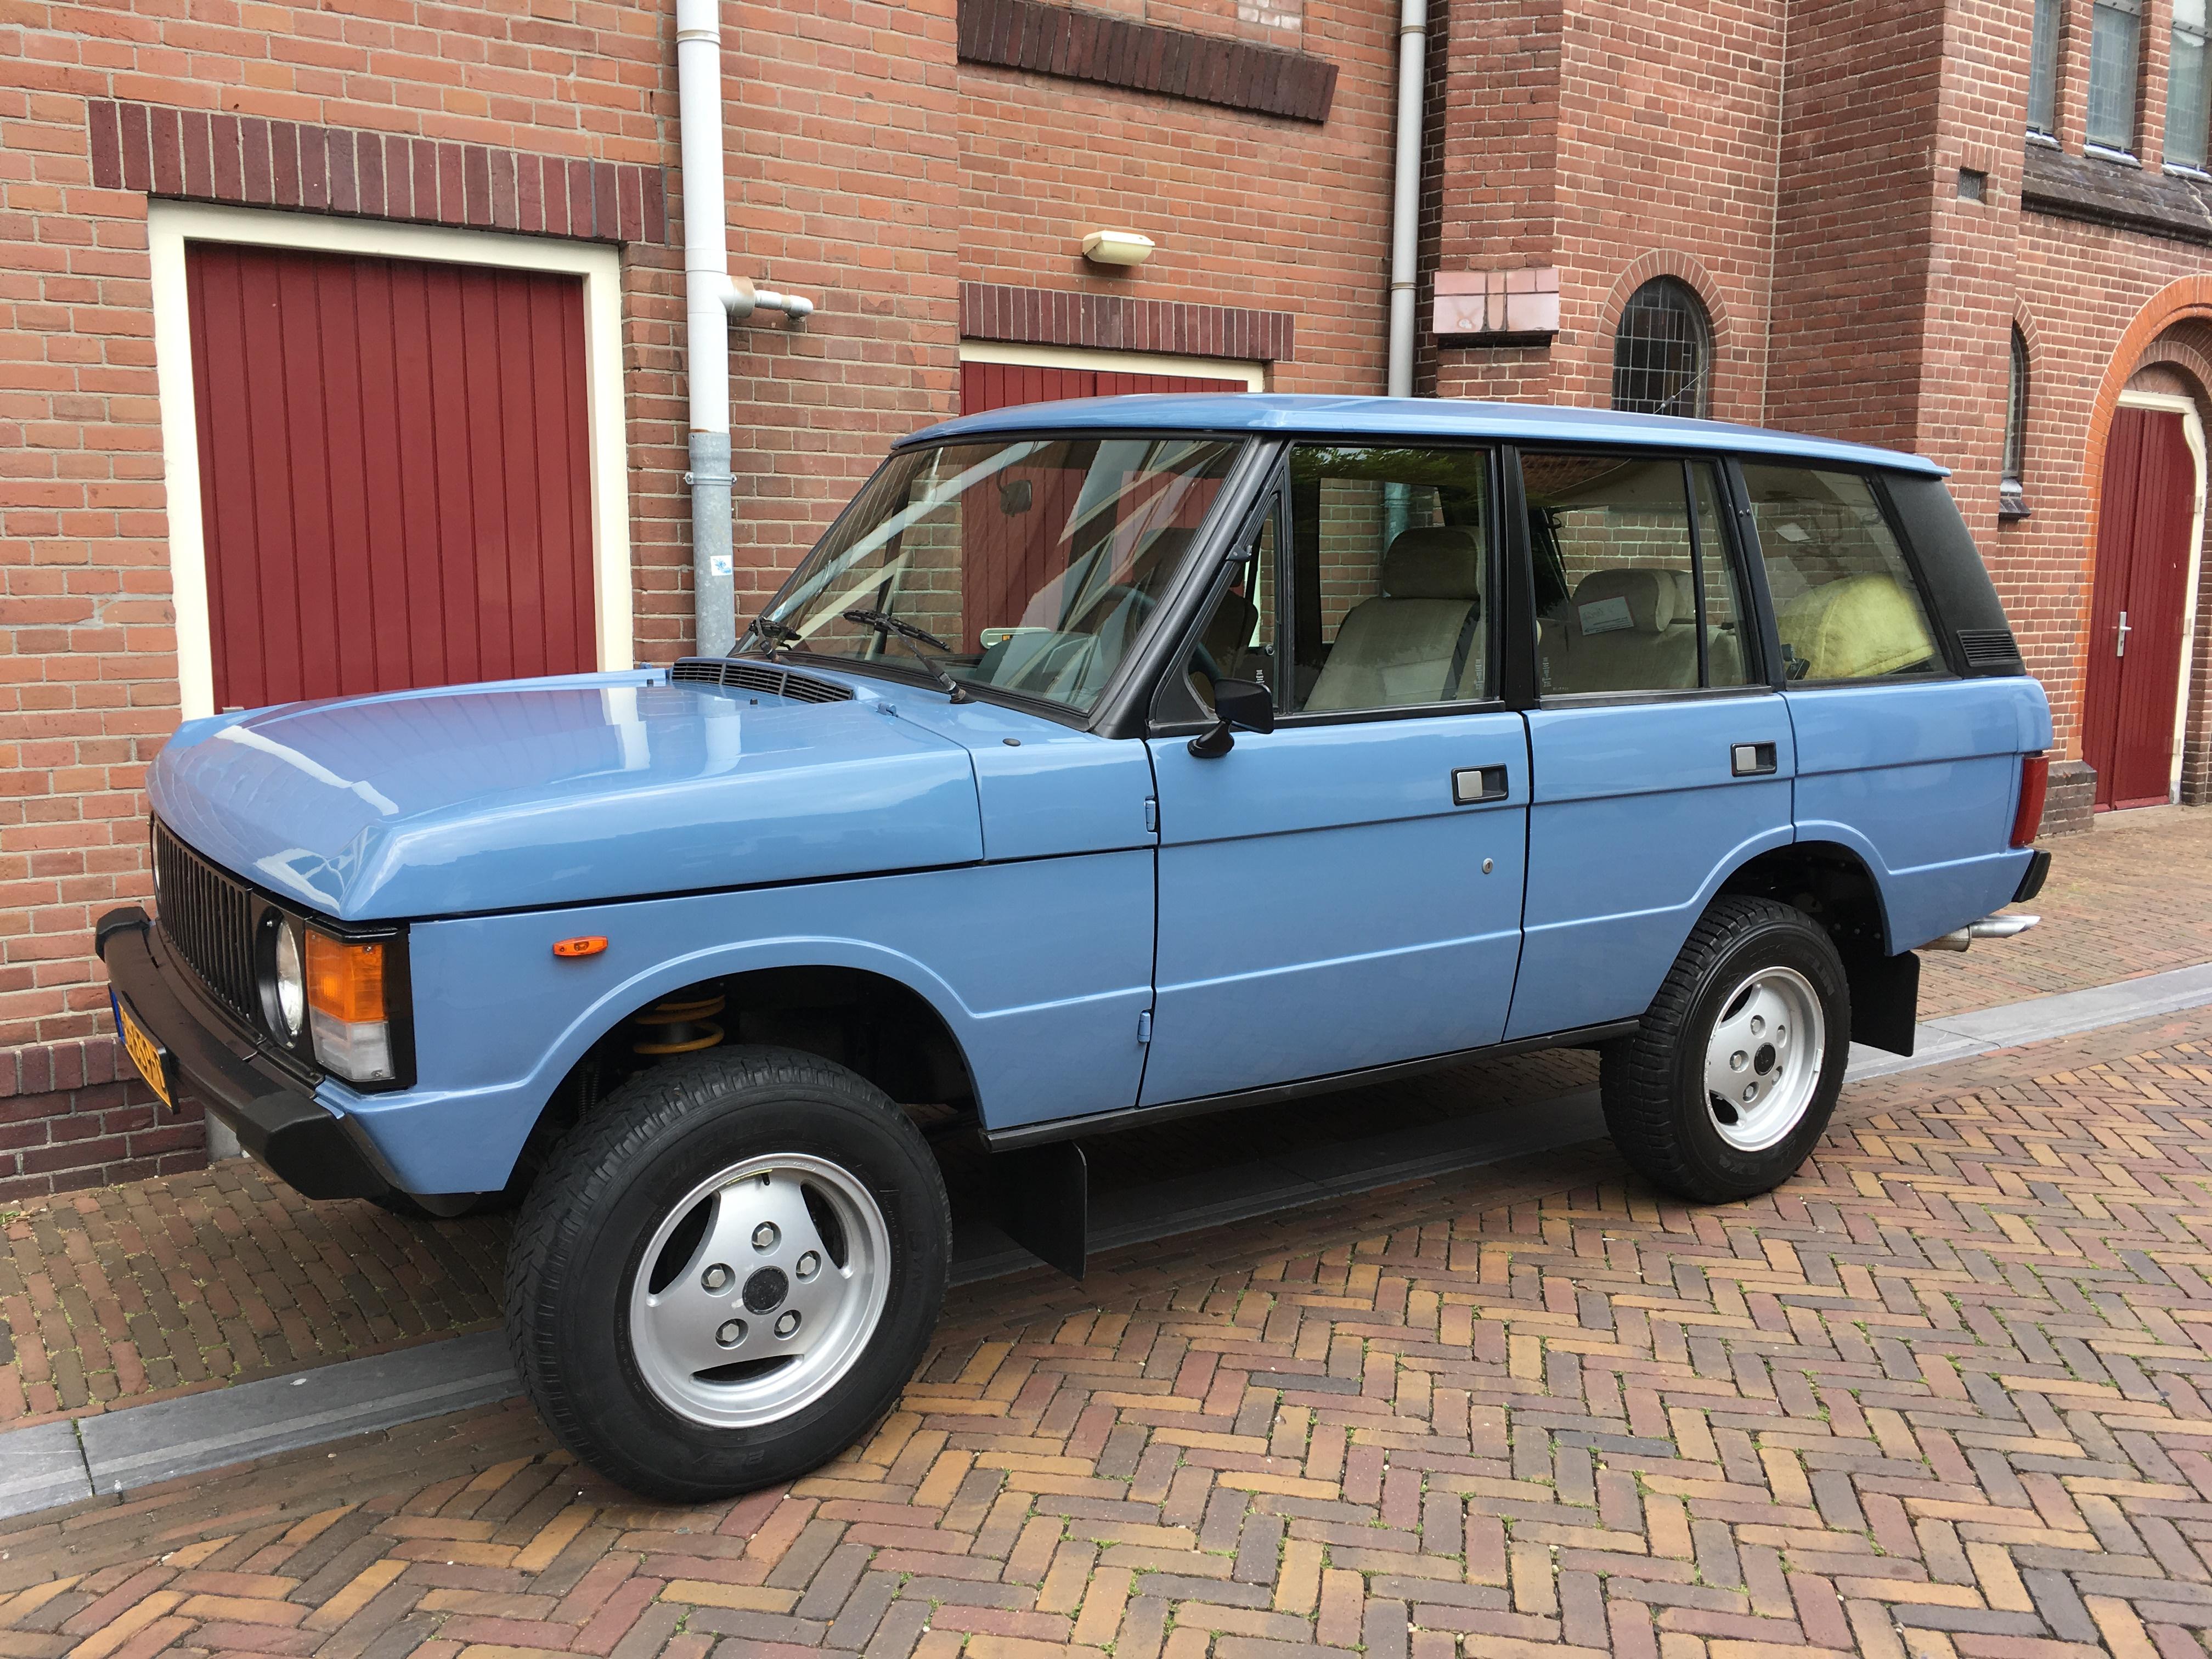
pixel 2136 614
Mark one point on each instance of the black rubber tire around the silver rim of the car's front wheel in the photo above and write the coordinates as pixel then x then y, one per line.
pixel 618 1178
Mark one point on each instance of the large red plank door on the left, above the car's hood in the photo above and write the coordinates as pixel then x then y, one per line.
pixel 393 472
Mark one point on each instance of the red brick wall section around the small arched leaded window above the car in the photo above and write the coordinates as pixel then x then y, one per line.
pixel 1616 143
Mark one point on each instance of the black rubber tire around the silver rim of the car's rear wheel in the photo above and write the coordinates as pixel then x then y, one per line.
pixel 1658 1105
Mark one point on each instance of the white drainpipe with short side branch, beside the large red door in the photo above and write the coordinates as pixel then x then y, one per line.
pixel 711 304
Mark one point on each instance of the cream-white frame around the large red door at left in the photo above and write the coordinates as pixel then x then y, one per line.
pixel 174 225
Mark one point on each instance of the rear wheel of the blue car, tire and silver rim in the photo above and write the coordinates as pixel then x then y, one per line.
pixel 1738 1067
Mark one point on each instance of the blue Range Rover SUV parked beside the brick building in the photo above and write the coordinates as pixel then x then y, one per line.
pixel 1105 762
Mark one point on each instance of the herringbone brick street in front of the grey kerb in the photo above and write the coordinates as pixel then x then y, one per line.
pixel 1941 1397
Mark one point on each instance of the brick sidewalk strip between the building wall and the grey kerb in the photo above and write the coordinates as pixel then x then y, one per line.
pixel 156 1288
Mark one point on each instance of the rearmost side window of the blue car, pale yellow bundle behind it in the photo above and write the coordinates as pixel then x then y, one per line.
pixel 1846 605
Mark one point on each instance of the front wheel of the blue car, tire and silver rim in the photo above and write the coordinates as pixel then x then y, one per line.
pixel 727 1273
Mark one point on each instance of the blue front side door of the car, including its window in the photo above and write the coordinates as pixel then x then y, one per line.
pixel 1346 890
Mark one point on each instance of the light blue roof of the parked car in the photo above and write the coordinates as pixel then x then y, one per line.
pixel 1304 415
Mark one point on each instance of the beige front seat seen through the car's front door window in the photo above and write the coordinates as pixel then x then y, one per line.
pixel 1421 638
